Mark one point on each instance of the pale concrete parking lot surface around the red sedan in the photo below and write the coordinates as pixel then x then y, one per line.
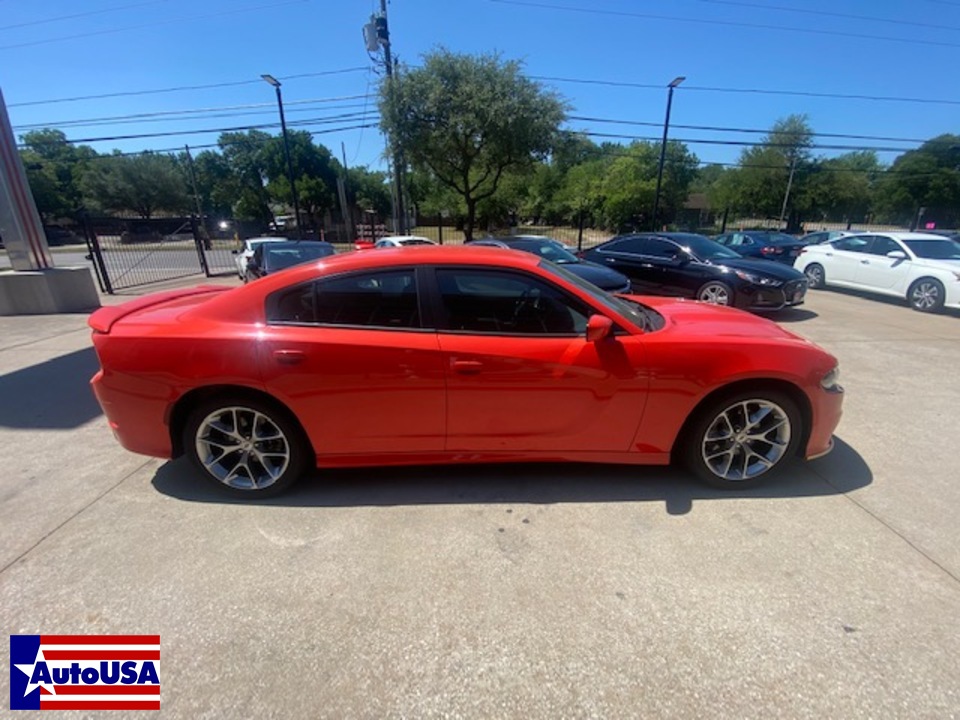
pixel 527 591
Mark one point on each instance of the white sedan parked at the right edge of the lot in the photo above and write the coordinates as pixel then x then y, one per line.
pixel 921 267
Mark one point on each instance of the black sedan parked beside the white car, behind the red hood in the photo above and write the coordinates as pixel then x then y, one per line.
pixel 689 265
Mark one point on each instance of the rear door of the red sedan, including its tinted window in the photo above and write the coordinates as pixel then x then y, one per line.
pixel 349 357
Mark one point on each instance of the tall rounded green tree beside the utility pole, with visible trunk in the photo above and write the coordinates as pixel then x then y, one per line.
pixel 467 120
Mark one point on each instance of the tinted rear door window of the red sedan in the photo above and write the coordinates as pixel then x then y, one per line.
pixel 381 299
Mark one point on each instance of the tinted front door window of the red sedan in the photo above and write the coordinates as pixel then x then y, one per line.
pixel 491 301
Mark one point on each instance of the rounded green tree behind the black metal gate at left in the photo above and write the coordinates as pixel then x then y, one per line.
pixel 144 184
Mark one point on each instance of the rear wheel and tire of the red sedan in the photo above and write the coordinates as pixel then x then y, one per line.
pixel 251 467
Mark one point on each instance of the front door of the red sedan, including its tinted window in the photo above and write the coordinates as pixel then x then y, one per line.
pixel 521 375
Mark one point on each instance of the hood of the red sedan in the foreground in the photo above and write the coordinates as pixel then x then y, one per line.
pixel 698 319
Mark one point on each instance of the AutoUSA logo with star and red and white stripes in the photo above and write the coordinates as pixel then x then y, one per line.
pixel 84 672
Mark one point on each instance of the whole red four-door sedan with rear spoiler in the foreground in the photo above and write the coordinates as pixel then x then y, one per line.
pixel 454 354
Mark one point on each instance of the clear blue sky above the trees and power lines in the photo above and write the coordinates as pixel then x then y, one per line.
pixel 58 49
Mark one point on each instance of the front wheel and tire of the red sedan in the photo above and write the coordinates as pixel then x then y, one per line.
pixel 710 442
